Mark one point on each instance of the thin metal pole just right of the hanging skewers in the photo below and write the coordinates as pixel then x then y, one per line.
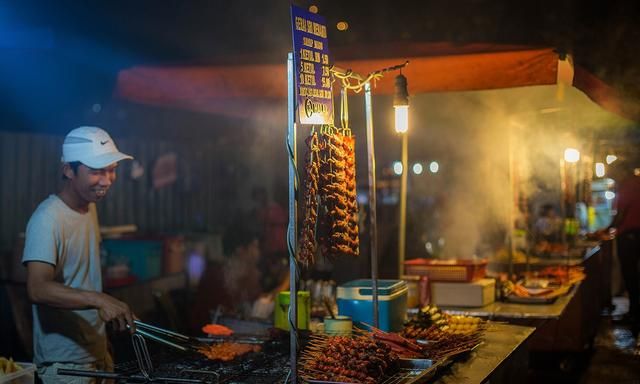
pixel 373 229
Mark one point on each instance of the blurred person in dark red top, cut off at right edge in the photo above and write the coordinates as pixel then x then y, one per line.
pixel 626 224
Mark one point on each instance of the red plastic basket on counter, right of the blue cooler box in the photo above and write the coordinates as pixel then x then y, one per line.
pixel 460 270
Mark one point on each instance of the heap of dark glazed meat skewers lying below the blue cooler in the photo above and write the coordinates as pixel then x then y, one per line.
pixel 358 359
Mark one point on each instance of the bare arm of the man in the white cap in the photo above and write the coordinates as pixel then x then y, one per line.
pixel 43 289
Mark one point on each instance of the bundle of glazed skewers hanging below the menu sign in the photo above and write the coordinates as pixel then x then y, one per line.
pixel 331 208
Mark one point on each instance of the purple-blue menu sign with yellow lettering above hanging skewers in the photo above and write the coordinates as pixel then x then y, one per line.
pixel 311 61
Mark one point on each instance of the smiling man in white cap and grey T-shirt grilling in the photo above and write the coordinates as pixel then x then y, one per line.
pixel 62 256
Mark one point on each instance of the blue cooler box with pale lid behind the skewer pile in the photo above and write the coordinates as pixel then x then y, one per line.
pixel 355 299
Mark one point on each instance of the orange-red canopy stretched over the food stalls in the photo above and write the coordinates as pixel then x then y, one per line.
pixel 258 90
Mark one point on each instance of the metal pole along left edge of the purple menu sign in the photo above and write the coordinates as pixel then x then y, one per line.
pixel 292 230
